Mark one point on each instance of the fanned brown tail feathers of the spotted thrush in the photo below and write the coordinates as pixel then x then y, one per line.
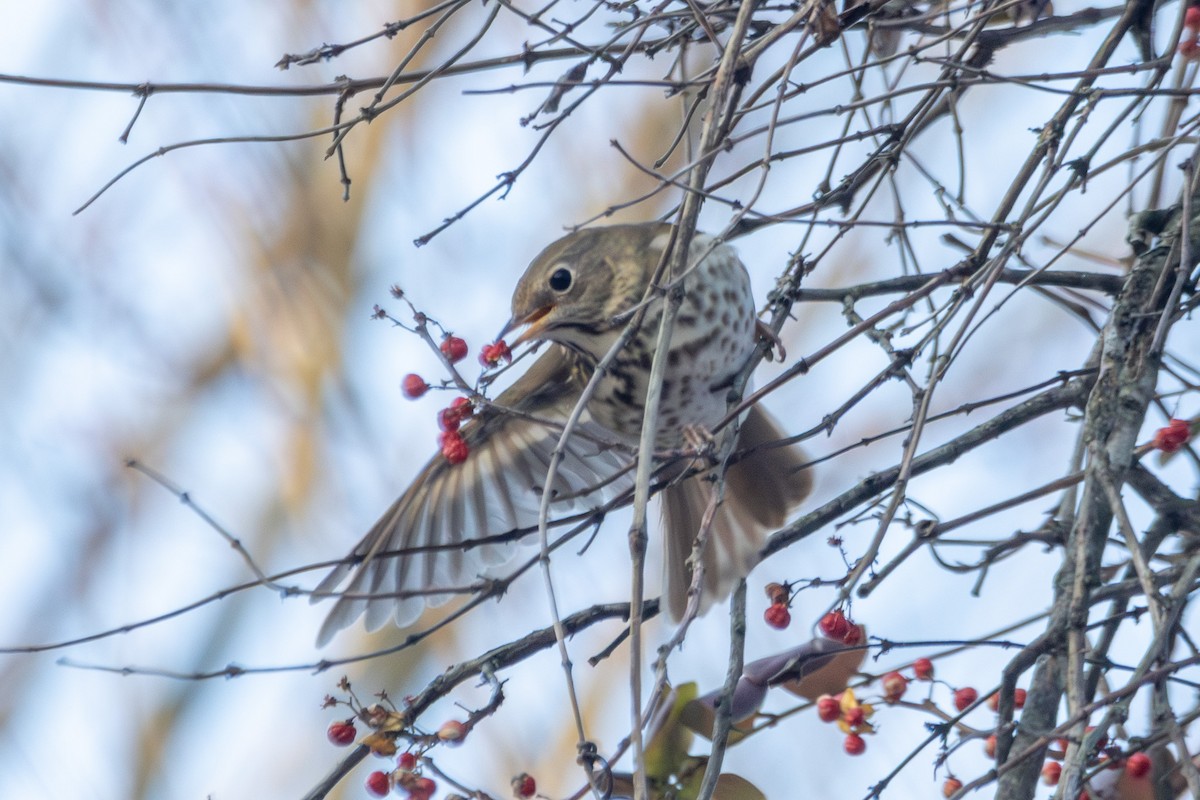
pixel 761 491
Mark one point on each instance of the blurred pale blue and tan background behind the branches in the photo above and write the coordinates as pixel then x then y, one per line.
pixel 211 316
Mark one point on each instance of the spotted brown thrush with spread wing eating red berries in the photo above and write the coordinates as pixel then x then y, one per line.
pixel 577 296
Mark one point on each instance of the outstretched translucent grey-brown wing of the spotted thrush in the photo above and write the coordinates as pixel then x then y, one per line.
pixel 496 491
